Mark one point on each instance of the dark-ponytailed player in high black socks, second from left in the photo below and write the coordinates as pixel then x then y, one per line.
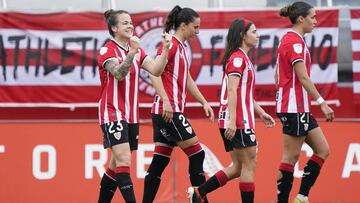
pixel 171 127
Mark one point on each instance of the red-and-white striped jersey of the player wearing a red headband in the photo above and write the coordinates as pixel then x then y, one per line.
pixel 240 65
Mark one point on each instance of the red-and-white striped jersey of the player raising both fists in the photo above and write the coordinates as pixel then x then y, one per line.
pixel 119 99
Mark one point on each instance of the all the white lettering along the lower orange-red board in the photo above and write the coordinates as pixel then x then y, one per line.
pixel 211 162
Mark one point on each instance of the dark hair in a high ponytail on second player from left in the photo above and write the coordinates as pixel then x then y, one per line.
pixel 179 15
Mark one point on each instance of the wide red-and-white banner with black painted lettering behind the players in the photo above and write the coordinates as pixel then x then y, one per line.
pixel 50 59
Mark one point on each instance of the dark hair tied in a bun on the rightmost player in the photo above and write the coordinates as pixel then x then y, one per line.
pixel 295 10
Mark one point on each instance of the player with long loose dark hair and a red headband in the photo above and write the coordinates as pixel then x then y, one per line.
pixel 236 115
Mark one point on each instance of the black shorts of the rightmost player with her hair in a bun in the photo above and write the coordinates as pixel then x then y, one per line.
pixel 297 124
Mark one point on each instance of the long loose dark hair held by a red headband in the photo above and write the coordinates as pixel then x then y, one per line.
pixel 233 41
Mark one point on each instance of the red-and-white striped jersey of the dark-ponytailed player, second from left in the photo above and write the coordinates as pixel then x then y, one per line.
pixel 174 77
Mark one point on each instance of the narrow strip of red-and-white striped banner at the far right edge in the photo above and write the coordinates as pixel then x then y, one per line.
pixel 355 42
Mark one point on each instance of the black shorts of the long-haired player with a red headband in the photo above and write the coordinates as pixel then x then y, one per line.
pixel 243 138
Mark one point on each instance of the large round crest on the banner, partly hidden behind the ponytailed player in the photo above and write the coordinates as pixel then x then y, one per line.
pixel 149 31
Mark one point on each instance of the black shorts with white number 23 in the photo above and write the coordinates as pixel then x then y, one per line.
pixel 118 132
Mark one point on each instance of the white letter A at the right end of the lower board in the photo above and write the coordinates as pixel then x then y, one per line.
pixel 349 165
